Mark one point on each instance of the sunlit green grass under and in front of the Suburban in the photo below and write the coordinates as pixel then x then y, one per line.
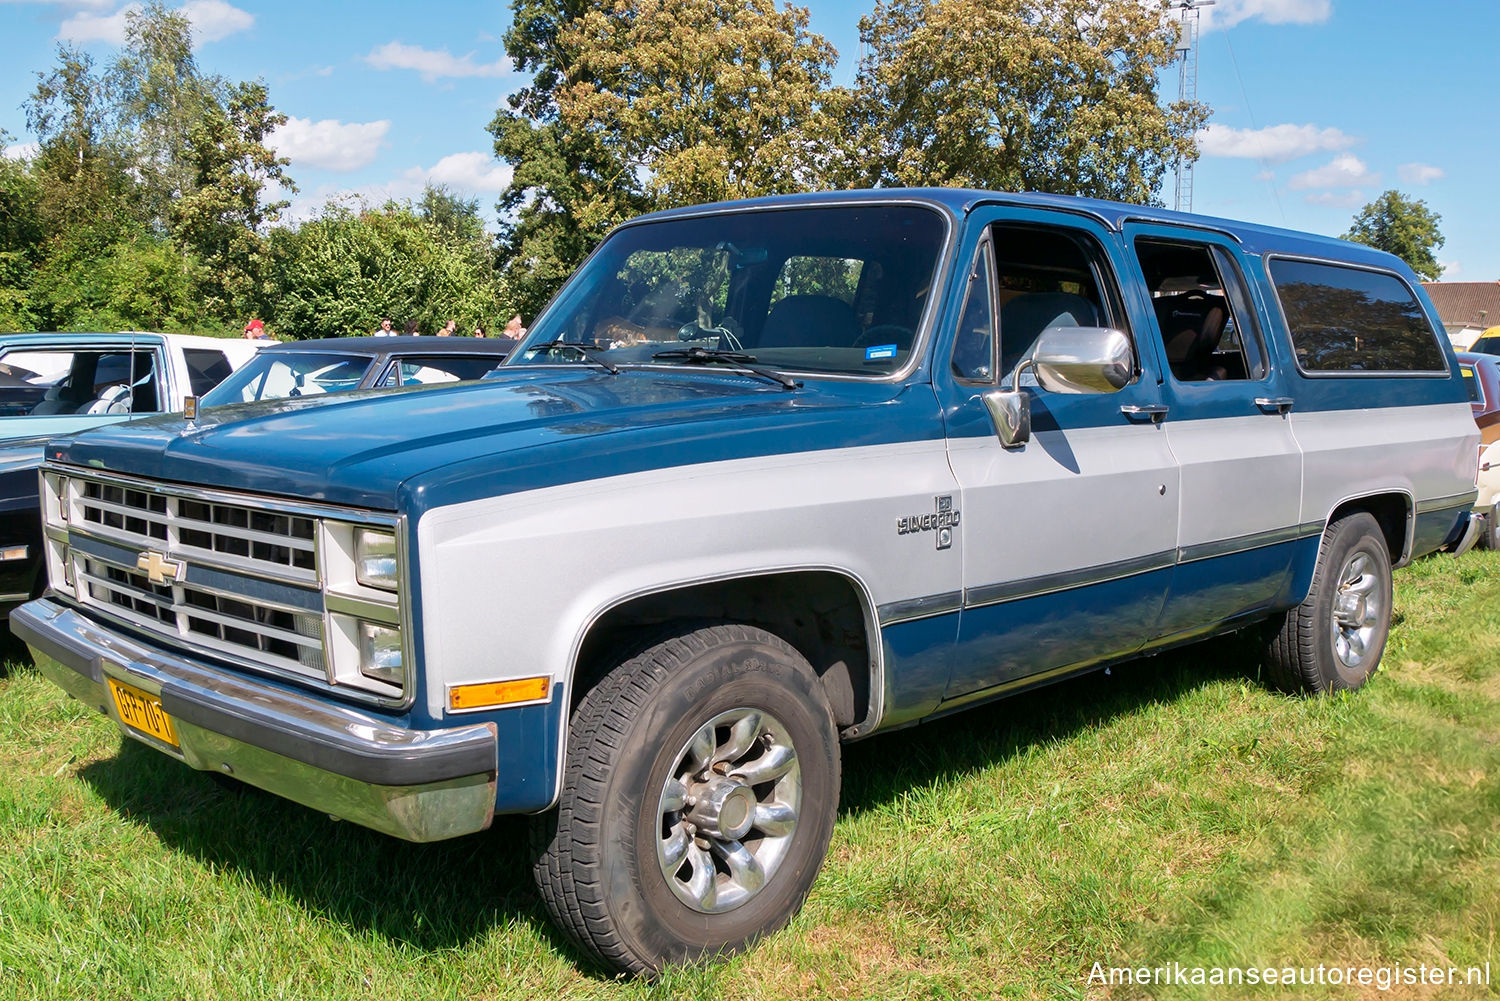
pixel 1171 811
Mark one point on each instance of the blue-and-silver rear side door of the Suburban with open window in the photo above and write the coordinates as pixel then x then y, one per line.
pixel 1228 424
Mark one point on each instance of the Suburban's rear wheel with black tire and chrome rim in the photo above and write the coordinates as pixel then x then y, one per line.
pixel 1334 640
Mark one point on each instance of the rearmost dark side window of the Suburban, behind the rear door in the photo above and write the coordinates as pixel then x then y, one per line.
pixel 1351 320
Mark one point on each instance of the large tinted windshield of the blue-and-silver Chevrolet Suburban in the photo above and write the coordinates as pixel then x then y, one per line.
pixel 812 290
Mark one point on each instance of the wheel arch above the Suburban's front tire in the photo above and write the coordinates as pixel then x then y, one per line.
pixel 826 613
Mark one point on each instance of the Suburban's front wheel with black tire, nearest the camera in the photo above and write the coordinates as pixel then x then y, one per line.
pixel 604 855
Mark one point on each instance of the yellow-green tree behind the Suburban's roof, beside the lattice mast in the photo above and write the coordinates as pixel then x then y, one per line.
pixel 1019 95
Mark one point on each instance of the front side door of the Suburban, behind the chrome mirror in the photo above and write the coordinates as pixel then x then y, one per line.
pixel 1069 543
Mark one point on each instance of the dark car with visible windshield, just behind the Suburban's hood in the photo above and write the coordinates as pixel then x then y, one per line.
pixel 332 365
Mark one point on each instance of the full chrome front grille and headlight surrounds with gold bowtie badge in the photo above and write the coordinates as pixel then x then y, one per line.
pixel 262 583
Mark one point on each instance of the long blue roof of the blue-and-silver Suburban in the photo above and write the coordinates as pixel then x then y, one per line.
pixel 1253 238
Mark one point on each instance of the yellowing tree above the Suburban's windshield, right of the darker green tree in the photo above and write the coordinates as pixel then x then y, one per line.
pixel 704 100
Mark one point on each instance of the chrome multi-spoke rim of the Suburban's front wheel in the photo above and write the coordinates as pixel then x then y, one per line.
pixel 728 811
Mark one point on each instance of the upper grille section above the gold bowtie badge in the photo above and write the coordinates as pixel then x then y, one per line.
pixel 235 537
